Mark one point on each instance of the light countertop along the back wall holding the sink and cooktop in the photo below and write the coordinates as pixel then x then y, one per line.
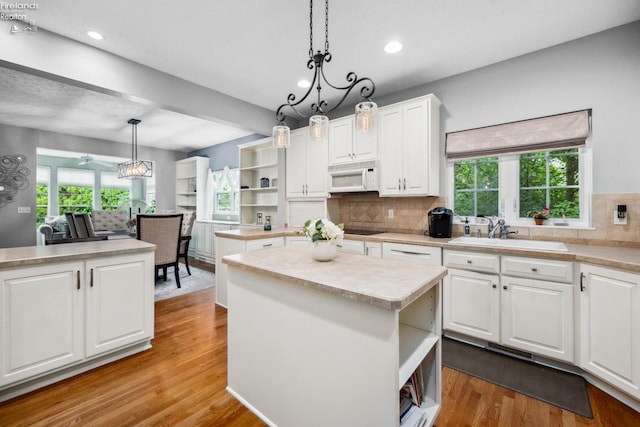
pixel 624 258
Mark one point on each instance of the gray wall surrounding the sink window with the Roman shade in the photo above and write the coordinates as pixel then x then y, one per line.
pixel 601 72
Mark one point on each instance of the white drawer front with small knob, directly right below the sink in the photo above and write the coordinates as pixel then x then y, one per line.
pixel 536 268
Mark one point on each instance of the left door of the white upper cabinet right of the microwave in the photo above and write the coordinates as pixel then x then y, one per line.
pixel 390 137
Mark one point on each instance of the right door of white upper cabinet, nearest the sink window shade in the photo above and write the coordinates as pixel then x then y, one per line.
pixel 415 148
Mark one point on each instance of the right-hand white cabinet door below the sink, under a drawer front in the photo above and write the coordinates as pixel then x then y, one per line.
pixel 537 316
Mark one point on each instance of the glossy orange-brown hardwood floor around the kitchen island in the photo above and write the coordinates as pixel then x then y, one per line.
pixel 181 382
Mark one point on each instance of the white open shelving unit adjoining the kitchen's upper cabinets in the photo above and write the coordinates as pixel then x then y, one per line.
pixel 259 192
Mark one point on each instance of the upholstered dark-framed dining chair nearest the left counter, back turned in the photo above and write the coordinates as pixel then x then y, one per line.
pixel 164 231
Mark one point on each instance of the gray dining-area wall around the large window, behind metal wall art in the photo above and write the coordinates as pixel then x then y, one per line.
pixel 19 229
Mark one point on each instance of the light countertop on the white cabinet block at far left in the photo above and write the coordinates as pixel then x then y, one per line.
pixel 34 255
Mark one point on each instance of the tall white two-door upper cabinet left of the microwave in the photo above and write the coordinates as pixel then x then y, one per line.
pixel 306 166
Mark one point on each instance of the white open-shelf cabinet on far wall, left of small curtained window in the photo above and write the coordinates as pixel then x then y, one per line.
pixel 191 180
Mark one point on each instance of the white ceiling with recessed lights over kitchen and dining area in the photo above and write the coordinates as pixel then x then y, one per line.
pixel 256 51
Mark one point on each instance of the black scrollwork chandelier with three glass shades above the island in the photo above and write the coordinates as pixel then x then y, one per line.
pixel 318 122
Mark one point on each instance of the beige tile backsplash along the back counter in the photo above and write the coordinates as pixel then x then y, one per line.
pixel 368 211
